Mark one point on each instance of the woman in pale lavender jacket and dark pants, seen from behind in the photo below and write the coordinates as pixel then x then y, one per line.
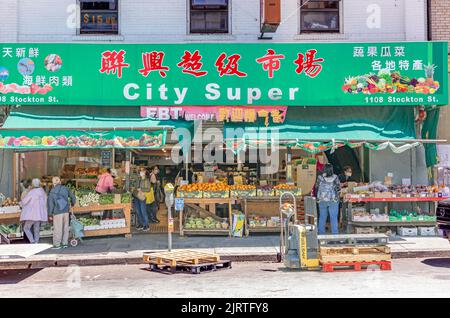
pixel 34 211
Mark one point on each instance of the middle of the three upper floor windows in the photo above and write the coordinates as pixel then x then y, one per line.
pixel 209 16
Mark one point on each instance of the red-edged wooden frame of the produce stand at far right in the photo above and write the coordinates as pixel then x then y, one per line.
pixel 348 206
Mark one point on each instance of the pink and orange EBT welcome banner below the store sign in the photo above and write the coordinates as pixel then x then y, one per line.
pixel 248 114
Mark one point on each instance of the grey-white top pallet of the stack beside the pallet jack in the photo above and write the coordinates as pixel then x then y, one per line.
pixel 353 239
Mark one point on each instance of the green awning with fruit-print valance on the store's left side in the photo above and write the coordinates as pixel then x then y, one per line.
pixel 84 127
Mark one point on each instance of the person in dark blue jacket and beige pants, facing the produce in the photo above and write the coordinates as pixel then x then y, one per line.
pixel 58 210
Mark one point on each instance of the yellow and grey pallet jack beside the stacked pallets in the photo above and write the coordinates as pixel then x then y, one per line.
pixel 299 245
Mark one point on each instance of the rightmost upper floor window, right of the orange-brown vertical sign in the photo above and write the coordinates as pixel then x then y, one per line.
pixel 319 16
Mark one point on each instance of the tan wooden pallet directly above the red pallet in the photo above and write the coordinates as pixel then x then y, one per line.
pixel 355 254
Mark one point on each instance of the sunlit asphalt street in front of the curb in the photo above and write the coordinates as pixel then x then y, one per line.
pixel 428 278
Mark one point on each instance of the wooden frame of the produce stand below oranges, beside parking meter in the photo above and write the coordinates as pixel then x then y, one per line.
pixel 203 202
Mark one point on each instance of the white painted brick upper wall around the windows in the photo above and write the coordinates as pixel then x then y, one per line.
pixel 168 21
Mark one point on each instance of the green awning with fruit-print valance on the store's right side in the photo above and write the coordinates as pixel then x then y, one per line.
pixel 318 129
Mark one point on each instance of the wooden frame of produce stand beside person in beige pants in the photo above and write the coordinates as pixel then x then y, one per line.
pixel 126 208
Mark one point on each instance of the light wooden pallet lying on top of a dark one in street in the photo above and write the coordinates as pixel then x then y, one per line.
pixel 180 257
